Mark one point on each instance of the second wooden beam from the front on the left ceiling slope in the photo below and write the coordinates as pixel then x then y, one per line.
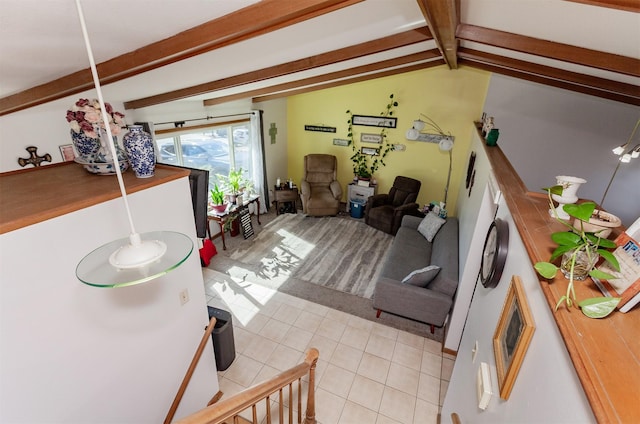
pixel 352 52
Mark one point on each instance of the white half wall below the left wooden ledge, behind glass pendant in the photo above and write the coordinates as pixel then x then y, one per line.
pixel 72 353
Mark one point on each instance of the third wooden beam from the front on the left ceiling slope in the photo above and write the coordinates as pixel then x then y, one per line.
pixel 313 81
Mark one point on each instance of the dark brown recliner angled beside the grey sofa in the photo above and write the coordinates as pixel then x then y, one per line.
pixel 385 211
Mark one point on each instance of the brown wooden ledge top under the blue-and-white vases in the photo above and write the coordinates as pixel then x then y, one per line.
pixel 37 194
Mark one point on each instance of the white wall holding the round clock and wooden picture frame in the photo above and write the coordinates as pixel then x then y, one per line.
pixel 547 389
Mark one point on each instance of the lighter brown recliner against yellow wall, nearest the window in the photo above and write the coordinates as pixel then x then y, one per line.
pixel 320 191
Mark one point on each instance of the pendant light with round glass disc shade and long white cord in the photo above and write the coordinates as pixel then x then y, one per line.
pixel 140 257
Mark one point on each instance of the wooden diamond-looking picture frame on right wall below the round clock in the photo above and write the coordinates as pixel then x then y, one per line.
pixel 512 336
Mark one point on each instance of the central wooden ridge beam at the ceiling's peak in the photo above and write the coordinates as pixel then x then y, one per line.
pixel 443 16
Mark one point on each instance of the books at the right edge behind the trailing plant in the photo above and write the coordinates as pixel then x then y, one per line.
pixel 626 285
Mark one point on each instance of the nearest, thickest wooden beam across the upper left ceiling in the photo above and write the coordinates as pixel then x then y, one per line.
pixel 257 19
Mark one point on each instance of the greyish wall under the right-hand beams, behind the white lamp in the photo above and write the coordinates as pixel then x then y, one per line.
pixel 546 131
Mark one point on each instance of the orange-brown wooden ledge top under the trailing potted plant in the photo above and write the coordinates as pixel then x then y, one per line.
pixel 605 352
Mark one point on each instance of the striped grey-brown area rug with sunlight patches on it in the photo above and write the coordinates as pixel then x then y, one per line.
pixel 340 254
